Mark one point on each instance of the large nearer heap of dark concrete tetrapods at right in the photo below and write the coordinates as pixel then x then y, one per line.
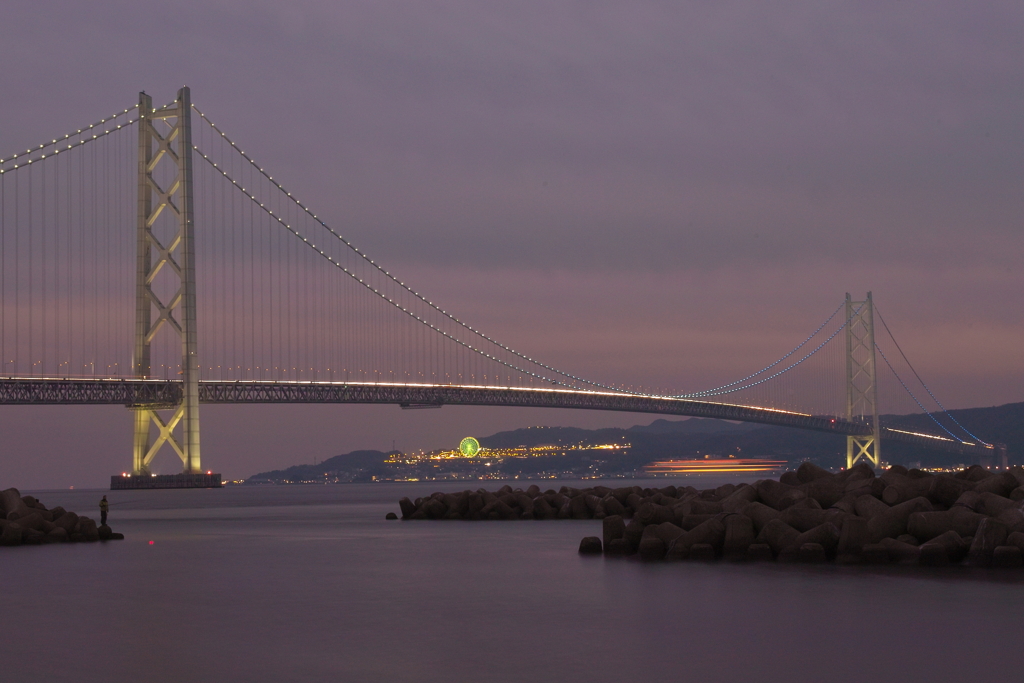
pixel 973 517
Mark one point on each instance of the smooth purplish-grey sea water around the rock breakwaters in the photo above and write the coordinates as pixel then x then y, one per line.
pixel 313 584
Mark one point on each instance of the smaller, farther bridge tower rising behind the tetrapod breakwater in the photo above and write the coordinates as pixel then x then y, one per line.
pixel 862 385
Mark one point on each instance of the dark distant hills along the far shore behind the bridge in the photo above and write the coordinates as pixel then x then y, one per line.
pixel 686 439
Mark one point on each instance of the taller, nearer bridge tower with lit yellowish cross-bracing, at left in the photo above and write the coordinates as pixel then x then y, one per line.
pixel 165 282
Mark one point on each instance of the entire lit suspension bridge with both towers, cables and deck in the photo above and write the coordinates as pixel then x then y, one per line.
pixel 154 265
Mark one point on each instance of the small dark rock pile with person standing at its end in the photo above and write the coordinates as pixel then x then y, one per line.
pixel 24 521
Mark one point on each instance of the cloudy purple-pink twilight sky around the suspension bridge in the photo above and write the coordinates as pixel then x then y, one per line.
pixel 667 193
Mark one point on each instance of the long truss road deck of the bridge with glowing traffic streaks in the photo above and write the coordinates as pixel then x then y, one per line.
pixel 157 394
